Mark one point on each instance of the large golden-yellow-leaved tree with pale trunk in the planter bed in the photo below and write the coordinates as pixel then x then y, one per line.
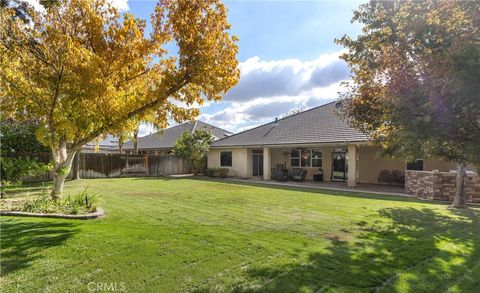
pixel 80 70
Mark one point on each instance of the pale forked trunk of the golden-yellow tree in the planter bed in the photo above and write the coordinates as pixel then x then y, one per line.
pixel 62 160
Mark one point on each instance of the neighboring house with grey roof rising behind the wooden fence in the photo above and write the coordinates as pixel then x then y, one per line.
pixel 162 142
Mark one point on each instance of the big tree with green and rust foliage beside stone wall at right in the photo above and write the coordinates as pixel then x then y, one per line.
pixel 416 89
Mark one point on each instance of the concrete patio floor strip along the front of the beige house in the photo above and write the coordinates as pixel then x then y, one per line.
pixel 337 186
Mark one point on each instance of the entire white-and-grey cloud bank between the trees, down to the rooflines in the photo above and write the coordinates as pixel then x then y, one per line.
pixel 269 89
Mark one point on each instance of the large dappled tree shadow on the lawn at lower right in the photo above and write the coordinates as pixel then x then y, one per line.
pixel 403 249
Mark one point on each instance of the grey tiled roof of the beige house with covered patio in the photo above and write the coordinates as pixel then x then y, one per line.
pixel 322 124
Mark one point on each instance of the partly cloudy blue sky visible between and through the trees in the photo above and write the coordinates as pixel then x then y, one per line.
pixel 288 58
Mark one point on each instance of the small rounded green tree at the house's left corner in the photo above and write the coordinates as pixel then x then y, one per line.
pixel 193 148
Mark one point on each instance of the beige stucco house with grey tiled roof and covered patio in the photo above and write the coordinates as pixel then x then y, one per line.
pixel 316 140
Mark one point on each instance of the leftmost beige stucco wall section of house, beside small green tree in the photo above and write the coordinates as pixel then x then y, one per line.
pixel 240 162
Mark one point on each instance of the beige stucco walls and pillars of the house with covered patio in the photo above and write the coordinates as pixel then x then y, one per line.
pixel 367 162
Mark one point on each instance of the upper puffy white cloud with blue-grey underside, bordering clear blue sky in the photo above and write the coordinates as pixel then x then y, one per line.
pixel 261 78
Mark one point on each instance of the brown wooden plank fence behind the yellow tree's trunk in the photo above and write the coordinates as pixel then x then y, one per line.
pixel 112 165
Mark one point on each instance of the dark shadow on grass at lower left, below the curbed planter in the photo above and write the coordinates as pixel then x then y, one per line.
pixel 23 242
